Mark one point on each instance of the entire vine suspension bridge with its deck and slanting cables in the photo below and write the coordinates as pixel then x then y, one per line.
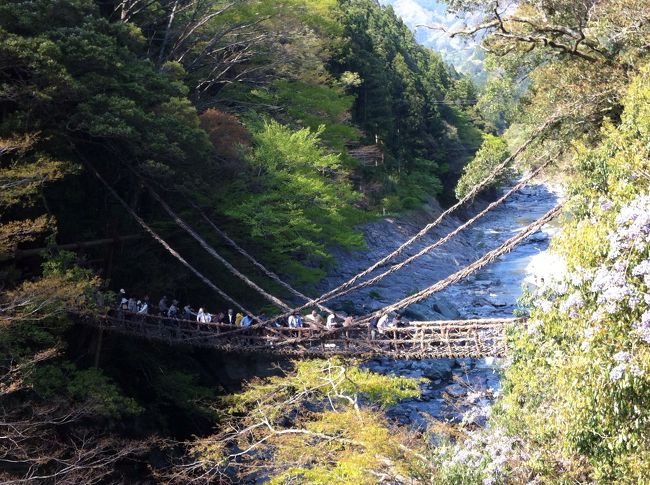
pixel 424 339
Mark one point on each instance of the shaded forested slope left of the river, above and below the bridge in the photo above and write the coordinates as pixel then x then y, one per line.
pixel 287 122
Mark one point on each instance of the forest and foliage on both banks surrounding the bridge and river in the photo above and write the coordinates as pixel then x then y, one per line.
pixel 287 123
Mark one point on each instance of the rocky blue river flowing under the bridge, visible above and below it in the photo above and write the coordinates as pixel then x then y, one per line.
pixel 452 389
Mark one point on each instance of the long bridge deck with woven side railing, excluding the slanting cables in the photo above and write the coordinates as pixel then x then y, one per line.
pixel 419 340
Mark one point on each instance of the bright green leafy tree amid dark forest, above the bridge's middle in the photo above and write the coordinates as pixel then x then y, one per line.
pixel 296 202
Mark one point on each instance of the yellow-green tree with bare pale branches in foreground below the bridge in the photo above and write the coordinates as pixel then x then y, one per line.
pixel 309 427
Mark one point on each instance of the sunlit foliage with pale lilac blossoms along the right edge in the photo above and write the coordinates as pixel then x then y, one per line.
pixel 578 389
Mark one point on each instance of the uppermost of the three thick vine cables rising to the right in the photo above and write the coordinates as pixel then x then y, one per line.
pixel 335 291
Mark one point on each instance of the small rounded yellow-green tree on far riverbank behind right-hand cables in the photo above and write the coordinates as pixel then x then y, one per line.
pixel 493 151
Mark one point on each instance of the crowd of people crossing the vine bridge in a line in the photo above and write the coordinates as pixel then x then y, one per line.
pixel 129 306
